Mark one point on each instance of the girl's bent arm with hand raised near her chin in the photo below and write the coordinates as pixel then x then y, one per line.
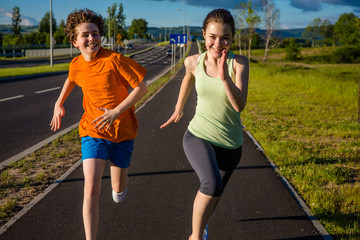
pixel 236 92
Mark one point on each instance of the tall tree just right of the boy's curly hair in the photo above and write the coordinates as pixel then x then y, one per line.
pixel 115 23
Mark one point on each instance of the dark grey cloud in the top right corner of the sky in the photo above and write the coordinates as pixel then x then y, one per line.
pixel 315 5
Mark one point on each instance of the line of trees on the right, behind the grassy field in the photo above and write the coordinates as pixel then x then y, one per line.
pixel 344 33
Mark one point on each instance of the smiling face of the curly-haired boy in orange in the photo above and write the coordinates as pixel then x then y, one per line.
pixel 88 40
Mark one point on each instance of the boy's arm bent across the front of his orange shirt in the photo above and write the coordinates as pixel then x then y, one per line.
pixel 110 115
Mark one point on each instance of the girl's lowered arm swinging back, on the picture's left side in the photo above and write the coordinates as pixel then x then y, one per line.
pixel 187 85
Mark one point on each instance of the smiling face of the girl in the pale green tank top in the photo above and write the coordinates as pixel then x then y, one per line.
pixel 218 37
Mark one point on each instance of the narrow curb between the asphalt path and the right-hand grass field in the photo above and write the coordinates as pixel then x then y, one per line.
pixel 319 227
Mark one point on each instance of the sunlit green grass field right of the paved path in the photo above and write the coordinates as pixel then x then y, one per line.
pixel 305 118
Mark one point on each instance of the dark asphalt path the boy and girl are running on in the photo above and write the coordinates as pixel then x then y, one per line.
pixel 255 205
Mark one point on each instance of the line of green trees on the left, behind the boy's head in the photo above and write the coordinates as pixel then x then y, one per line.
pixel 114 27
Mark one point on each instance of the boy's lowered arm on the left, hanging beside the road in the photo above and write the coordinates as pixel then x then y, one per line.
pixel 59 110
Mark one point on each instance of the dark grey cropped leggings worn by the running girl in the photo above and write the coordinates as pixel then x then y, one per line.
pixel 212 164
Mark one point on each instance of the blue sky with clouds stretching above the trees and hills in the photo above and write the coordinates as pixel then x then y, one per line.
pixel 169 13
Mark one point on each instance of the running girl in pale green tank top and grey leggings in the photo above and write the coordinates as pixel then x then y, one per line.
pixel 213 141
